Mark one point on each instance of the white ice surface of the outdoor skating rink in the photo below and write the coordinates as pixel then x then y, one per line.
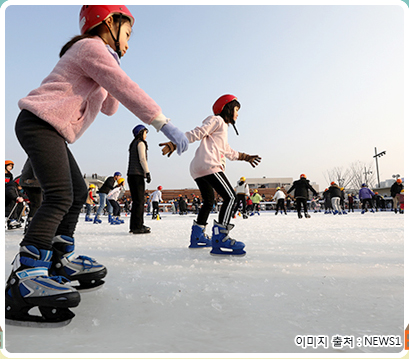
pixel 323 276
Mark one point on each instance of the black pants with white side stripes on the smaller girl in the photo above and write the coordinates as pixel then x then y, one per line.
pixel 220 183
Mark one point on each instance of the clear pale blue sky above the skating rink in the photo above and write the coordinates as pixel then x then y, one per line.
pixel 320 86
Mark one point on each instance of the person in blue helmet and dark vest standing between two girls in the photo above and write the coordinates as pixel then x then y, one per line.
pixel 138 171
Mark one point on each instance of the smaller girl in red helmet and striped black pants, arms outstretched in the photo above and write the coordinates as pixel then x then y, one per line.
pixel 207 169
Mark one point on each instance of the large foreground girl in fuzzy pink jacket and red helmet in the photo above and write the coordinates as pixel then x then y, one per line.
pixel 86 80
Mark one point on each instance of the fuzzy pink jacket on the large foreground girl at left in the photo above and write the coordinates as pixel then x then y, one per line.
pixel 85 81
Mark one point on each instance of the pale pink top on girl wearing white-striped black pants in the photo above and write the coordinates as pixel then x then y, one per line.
pixel 211 155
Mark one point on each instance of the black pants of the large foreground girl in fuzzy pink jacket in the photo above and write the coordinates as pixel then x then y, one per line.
pixel 59 176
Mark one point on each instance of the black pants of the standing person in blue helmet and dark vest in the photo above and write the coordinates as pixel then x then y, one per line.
pixel 137 187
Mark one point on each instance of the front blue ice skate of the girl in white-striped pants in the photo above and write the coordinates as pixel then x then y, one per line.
pixel 222 244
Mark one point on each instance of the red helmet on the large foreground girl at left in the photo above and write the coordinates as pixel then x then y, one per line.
pixel 93 15
